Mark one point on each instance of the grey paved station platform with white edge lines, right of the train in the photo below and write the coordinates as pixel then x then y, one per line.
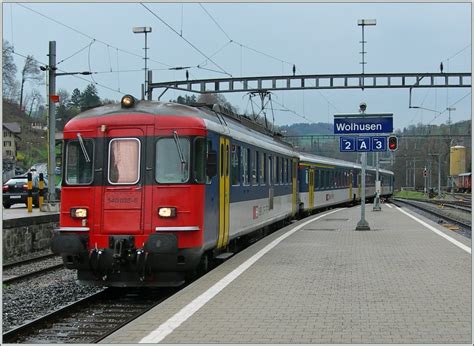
pixel 407 280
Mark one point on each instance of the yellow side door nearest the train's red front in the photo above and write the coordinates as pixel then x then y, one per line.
pixel 224 192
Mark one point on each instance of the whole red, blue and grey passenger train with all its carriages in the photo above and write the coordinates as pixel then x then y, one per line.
pixel 151 190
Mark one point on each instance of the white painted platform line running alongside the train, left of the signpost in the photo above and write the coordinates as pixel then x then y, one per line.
pixel 181 316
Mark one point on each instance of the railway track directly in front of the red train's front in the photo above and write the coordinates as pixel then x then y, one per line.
pixel 91 319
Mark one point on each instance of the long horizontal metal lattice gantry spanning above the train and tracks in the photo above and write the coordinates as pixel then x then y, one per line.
pixel 324 81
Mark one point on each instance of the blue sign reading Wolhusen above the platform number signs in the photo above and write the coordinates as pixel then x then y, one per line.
pixel 368 123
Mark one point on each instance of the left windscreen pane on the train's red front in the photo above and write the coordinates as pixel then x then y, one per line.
pixel 79 162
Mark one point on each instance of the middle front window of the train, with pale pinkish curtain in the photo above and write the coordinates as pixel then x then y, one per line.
pixel 124 161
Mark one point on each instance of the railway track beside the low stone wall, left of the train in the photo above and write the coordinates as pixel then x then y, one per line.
pixel 32 267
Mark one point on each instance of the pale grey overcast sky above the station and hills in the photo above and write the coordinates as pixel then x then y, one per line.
pixel 319 38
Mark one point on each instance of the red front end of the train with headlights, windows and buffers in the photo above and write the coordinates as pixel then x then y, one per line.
pixel 132 196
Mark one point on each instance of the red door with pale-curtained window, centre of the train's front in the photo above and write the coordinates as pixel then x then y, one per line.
pixel 123 191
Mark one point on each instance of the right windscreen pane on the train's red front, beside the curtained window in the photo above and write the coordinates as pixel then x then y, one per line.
pixel 172 160
